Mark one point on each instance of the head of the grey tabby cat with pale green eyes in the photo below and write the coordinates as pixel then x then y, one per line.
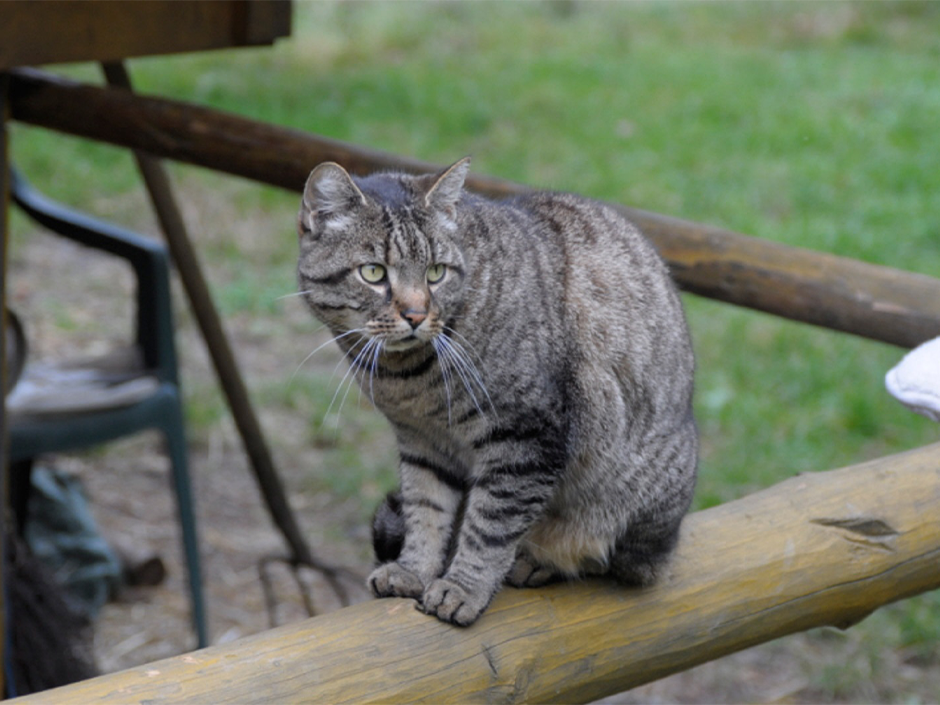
pixel 378 255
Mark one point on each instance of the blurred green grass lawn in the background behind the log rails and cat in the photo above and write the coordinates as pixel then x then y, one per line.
pixel 812 124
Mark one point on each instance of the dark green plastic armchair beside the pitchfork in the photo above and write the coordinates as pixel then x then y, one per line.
pixel 70 407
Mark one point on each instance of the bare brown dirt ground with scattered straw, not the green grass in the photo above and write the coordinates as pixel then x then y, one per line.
pixel 128 487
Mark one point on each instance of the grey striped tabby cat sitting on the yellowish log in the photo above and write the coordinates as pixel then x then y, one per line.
pixel 533 359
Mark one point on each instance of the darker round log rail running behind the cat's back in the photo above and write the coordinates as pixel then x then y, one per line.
pixel 835 292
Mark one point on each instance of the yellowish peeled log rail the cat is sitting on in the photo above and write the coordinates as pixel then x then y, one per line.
pixel 819 549
